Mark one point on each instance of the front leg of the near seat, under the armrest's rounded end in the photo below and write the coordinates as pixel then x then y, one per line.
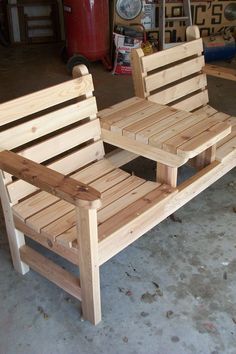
pixel 88 264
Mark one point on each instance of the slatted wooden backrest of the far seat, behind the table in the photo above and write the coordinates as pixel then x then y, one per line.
pixel 173 76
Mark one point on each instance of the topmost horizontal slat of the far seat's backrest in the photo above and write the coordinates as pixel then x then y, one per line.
pixel 171 55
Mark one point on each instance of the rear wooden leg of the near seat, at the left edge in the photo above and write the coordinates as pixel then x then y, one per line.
pixel 15 237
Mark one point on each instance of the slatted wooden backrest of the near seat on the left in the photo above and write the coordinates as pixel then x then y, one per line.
pixel 57 127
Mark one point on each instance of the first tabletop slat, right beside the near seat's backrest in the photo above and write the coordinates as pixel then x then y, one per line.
pixel 108 121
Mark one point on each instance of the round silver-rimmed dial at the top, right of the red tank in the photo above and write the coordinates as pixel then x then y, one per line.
pixel 128 9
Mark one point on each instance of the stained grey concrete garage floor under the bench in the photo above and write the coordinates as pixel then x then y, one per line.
pixel 171 292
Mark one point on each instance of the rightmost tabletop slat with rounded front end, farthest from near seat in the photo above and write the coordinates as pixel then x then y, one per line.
pixel 204 140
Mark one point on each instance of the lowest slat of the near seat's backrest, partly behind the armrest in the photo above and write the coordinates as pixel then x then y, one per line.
pixel 66 165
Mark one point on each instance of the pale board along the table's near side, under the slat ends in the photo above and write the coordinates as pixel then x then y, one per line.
pixel 150 152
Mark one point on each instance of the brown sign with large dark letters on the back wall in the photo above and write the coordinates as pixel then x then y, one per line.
pixel 211 17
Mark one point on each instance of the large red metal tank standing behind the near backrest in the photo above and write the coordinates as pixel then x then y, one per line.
pixel 87 31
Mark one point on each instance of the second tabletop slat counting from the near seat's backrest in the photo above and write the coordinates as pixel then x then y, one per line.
pixel 152 111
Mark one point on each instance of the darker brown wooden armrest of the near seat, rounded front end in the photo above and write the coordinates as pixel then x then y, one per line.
pixel 66 188
